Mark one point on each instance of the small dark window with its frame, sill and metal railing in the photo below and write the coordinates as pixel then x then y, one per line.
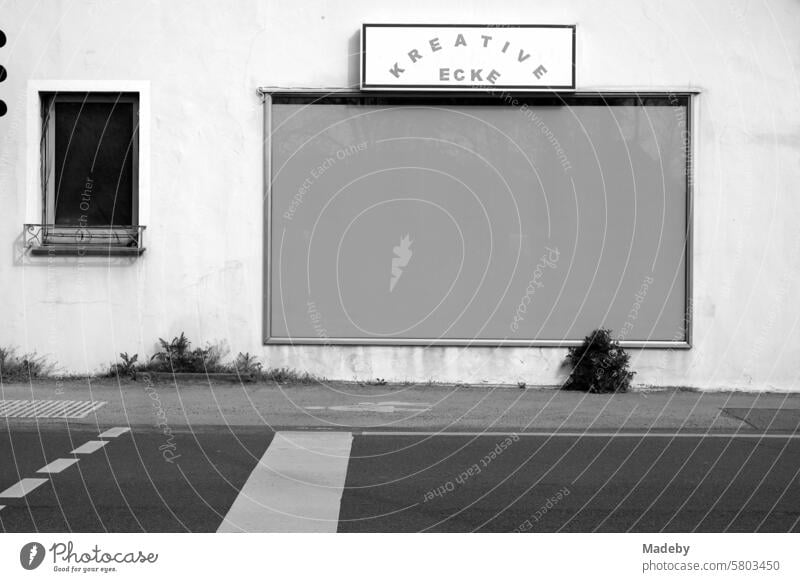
pixel 89 174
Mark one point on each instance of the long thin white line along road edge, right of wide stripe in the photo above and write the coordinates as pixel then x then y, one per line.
pixel 665 435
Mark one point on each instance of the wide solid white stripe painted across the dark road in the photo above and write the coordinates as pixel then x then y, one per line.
pixel 295 487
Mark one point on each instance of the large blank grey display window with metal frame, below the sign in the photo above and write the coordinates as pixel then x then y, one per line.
pixel 477 219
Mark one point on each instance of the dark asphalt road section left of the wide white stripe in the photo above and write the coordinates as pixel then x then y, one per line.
pixel 128 485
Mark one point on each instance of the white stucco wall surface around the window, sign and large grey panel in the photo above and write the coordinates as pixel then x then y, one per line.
pixel 202 272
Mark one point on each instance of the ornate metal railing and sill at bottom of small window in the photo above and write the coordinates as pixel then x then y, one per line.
pixel 42 239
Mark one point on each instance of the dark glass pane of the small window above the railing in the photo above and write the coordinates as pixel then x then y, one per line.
pixel 93 163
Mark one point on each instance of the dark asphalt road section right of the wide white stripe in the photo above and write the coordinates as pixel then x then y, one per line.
pixel 572 484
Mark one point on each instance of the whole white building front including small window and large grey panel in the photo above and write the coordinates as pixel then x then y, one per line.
pixel 241 128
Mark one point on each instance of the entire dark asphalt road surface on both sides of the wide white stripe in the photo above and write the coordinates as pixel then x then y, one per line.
pixel 411 483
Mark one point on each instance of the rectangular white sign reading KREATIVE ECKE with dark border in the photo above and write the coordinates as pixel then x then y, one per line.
pixel 468 57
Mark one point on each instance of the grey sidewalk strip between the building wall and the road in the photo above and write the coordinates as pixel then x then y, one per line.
pixel 417 407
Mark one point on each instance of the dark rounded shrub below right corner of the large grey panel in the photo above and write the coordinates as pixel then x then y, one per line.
pixel 599 365
